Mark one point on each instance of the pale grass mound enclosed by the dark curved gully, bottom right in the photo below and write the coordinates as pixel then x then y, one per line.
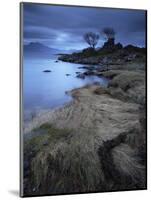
pixel 131 172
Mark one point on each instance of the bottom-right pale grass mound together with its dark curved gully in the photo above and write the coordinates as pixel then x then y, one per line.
pixel 121 165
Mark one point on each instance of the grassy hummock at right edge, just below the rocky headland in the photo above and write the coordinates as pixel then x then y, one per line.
pixel 127 85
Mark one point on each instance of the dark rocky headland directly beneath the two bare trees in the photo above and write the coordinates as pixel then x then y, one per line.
pixel 114 56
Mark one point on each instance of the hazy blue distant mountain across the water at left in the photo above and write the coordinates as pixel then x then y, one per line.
pixel 37 49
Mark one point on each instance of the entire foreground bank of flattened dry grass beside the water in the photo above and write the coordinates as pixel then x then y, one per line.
pixel 95 143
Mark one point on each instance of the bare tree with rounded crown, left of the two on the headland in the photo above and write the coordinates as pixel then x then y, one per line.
pixel 91 38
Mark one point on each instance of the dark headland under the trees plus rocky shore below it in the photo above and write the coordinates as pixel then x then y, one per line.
pixel 98 61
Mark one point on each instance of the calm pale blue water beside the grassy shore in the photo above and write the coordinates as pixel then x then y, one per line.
pixel 48 90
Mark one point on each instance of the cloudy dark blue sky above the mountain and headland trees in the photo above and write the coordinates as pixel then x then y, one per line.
pixel 63 27
